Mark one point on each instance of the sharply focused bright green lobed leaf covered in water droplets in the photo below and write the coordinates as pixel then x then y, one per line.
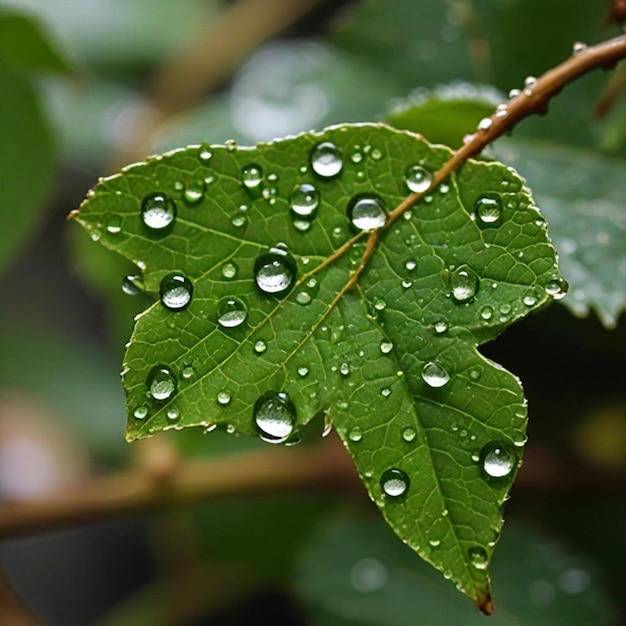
pixel 435 429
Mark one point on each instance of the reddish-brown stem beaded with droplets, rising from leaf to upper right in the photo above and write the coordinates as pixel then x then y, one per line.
pixel 534 98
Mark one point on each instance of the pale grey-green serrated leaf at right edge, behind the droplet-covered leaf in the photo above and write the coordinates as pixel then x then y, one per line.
pixel 582 194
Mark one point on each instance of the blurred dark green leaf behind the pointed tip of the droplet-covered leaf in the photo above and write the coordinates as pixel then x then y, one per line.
pixel 353 572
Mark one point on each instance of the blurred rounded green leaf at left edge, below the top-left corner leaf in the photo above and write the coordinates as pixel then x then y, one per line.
pixel 26 161
